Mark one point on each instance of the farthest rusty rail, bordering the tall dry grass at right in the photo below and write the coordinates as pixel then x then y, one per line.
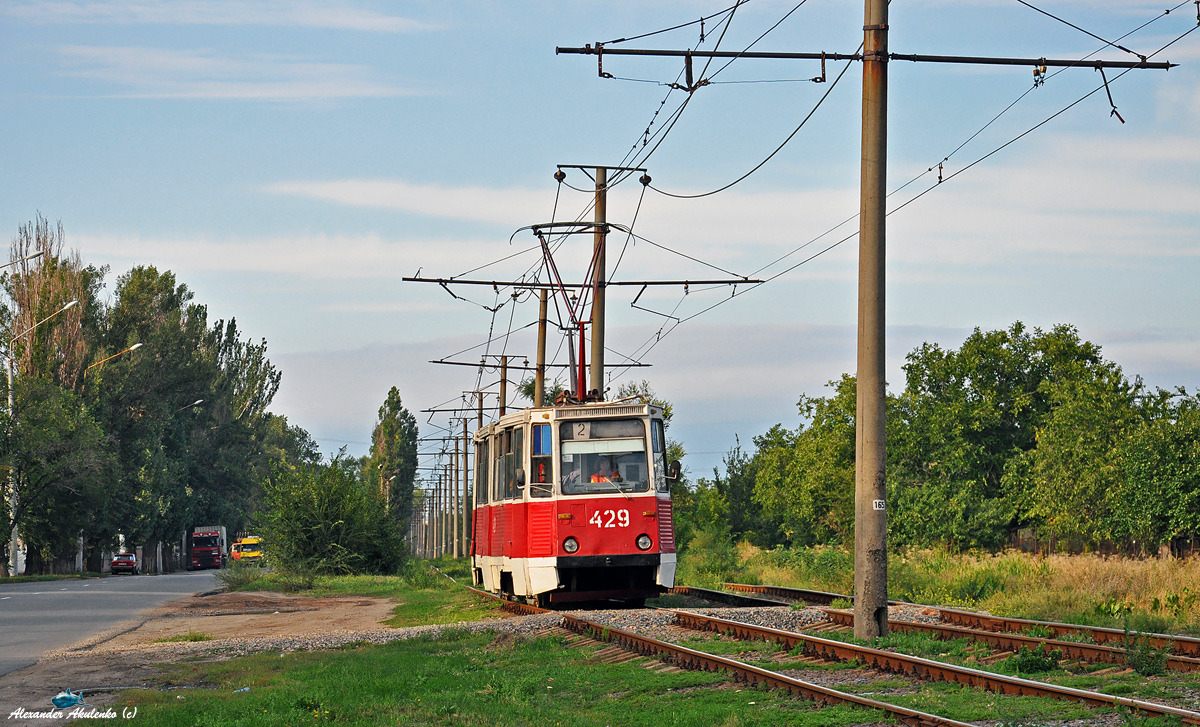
pixel 1181 646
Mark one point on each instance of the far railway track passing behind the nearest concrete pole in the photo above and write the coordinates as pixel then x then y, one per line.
pixel 1185 651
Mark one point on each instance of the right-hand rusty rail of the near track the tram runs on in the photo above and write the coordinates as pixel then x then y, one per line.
pixel 926 669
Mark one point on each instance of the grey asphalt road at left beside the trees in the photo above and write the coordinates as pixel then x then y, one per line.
pixel 39 617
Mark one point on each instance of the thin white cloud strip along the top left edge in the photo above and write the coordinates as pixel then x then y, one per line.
pixel 338 16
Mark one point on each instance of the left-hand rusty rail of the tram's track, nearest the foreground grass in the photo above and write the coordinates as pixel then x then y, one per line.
pixel 692 659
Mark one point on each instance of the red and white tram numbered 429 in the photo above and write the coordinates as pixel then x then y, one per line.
pixel 574 504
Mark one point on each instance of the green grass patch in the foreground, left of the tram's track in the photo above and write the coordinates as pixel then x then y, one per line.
pixel 465 680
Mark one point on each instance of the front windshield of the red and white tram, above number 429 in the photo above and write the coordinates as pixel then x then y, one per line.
pixel 604 456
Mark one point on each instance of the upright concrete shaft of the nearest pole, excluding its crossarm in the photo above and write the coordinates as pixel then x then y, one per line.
pixel 871 472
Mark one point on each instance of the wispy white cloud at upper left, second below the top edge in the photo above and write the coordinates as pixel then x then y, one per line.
pixel 163 74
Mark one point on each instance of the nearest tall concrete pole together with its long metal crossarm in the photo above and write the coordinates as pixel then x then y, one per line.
pixel 871 454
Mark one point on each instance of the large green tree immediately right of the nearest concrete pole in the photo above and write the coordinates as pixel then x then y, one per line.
pixel 963 419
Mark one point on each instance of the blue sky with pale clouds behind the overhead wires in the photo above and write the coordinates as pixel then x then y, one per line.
pixel 292 161
